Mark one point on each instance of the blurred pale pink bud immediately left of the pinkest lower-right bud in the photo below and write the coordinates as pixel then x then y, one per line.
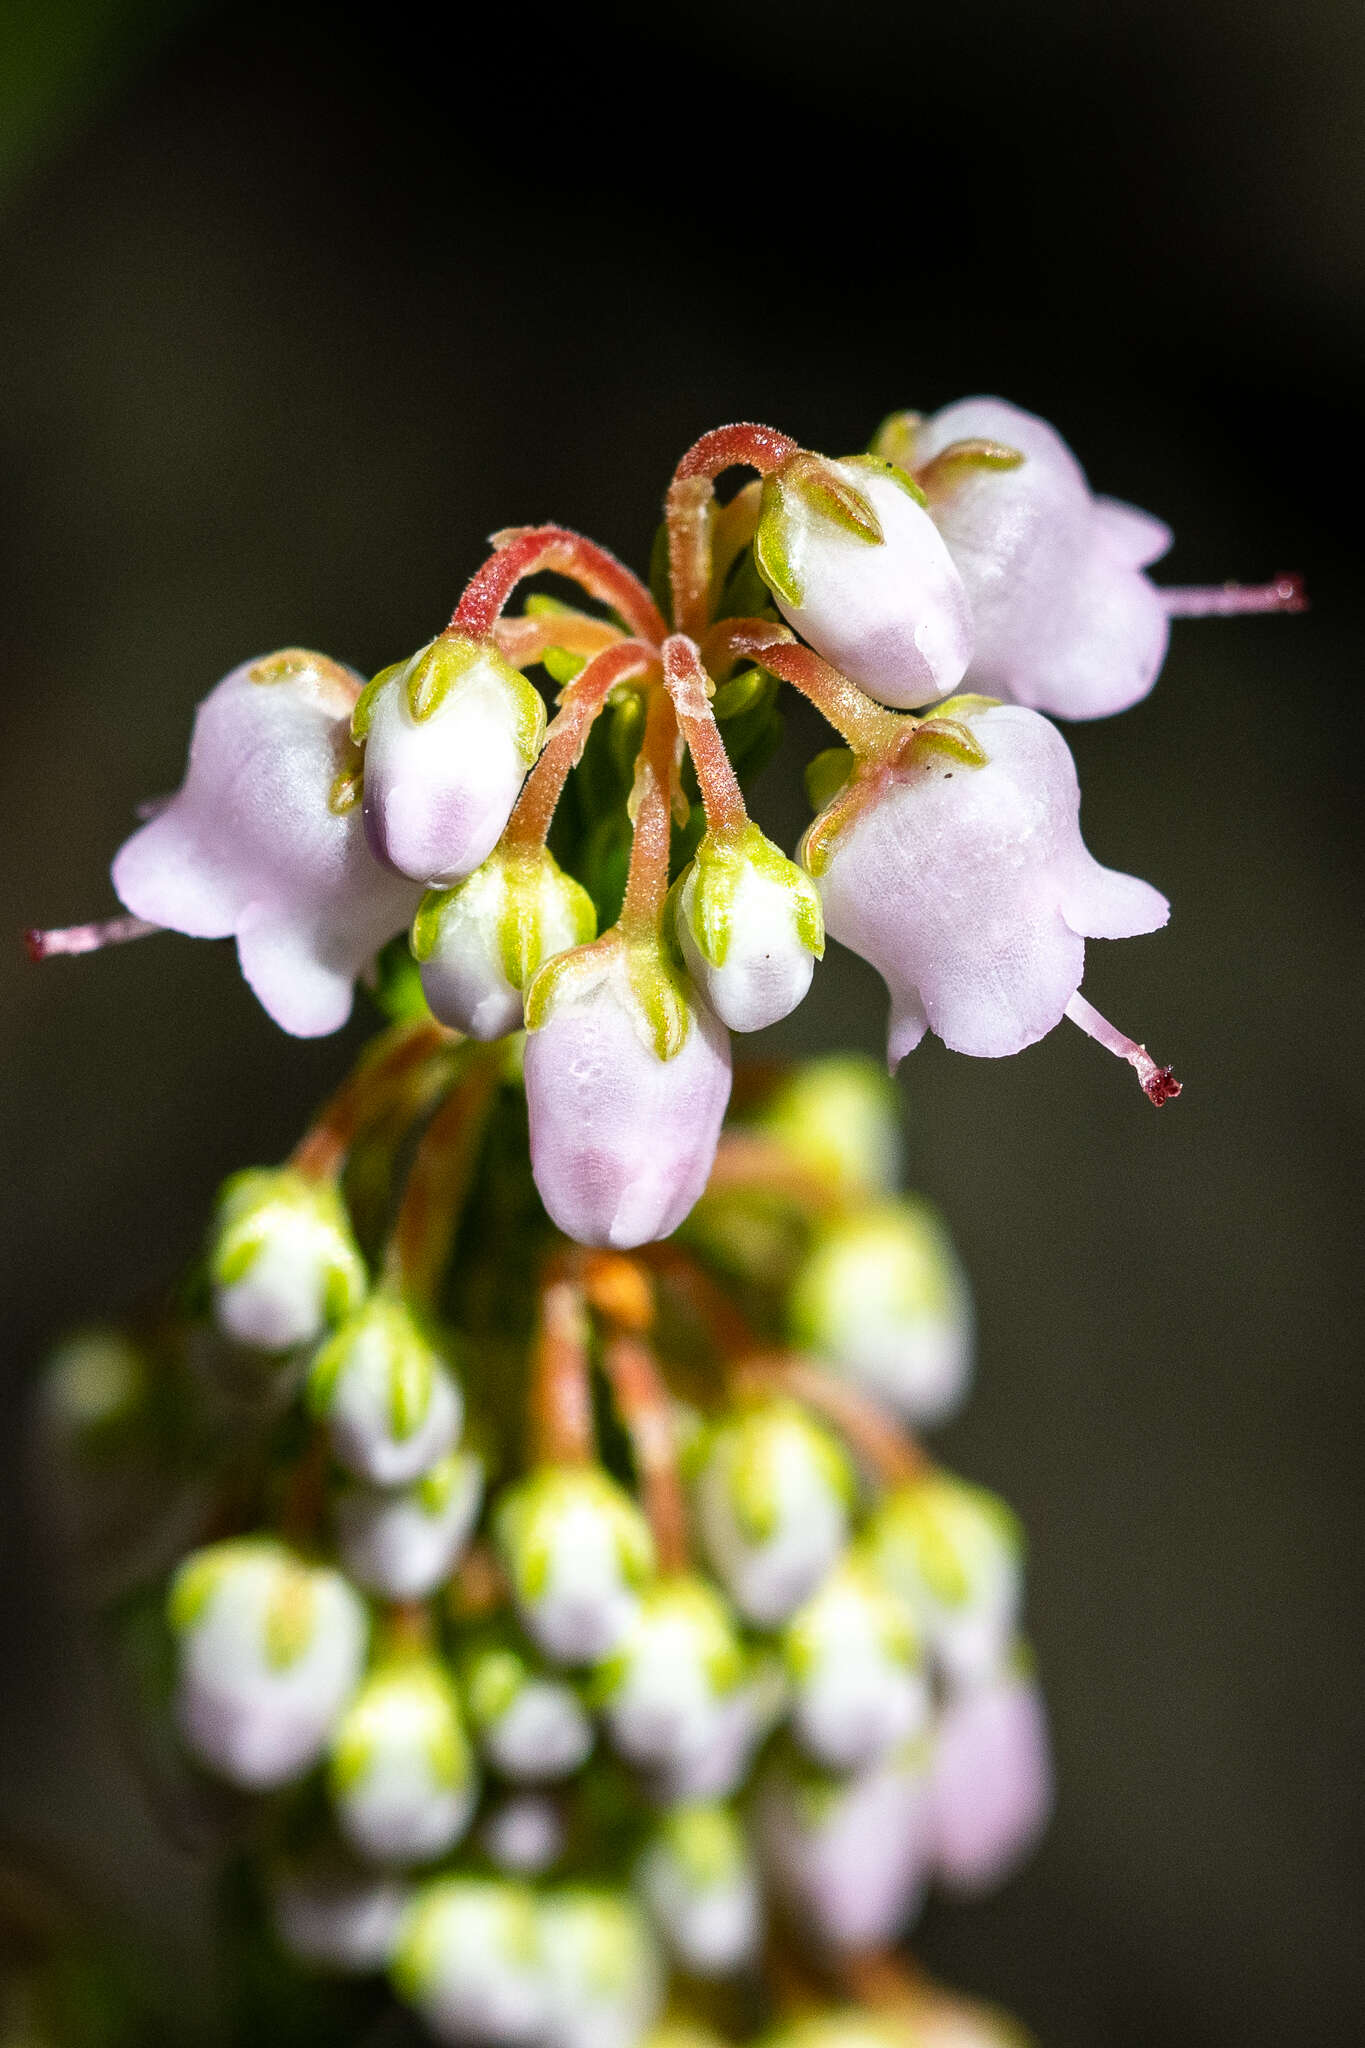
pixel 848 1854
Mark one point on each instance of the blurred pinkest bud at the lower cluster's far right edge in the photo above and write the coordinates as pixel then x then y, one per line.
pixel 992 1779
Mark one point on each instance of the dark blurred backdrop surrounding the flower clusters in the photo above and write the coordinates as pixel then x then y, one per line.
pixel 296 312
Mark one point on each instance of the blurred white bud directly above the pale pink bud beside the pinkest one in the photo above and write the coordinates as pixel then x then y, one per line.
pixel 856 1670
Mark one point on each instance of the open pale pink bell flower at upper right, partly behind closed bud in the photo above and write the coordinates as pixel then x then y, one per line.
pixel 1065 617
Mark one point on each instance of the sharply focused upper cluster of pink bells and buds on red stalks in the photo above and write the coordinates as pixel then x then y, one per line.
pixel 936 599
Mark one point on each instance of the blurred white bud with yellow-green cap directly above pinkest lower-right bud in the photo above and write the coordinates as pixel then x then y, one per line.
pixel 955 1555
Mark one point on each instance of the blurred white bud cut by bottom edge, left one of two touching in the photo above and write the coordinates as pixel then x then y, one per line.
pixel 470 1961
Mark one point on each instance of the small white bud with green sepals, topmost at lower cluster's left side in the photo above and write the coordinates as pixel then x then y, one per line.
pixel 283 1261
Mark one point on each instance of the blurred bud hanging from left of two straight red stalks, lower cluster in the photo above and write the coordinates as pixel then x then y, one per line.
pixel 578 1553
